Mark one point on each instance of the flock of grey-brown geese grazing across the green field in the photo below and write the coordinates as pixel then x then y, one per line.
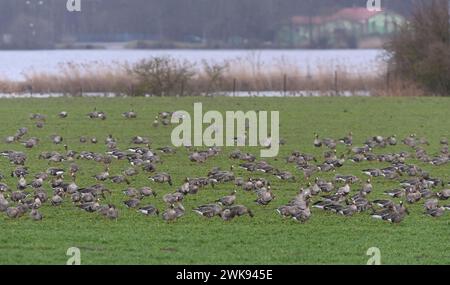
pixel 344 195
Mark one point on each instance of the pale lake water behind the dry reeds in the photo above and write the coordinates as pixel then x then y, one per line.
pixel 14 64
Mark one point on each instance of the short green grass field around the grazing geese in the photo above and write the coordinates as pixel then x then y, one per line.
pixel 265 239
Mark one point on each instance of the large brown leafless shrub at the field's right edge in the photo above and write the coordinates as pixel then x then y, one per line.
pixel 420 52
